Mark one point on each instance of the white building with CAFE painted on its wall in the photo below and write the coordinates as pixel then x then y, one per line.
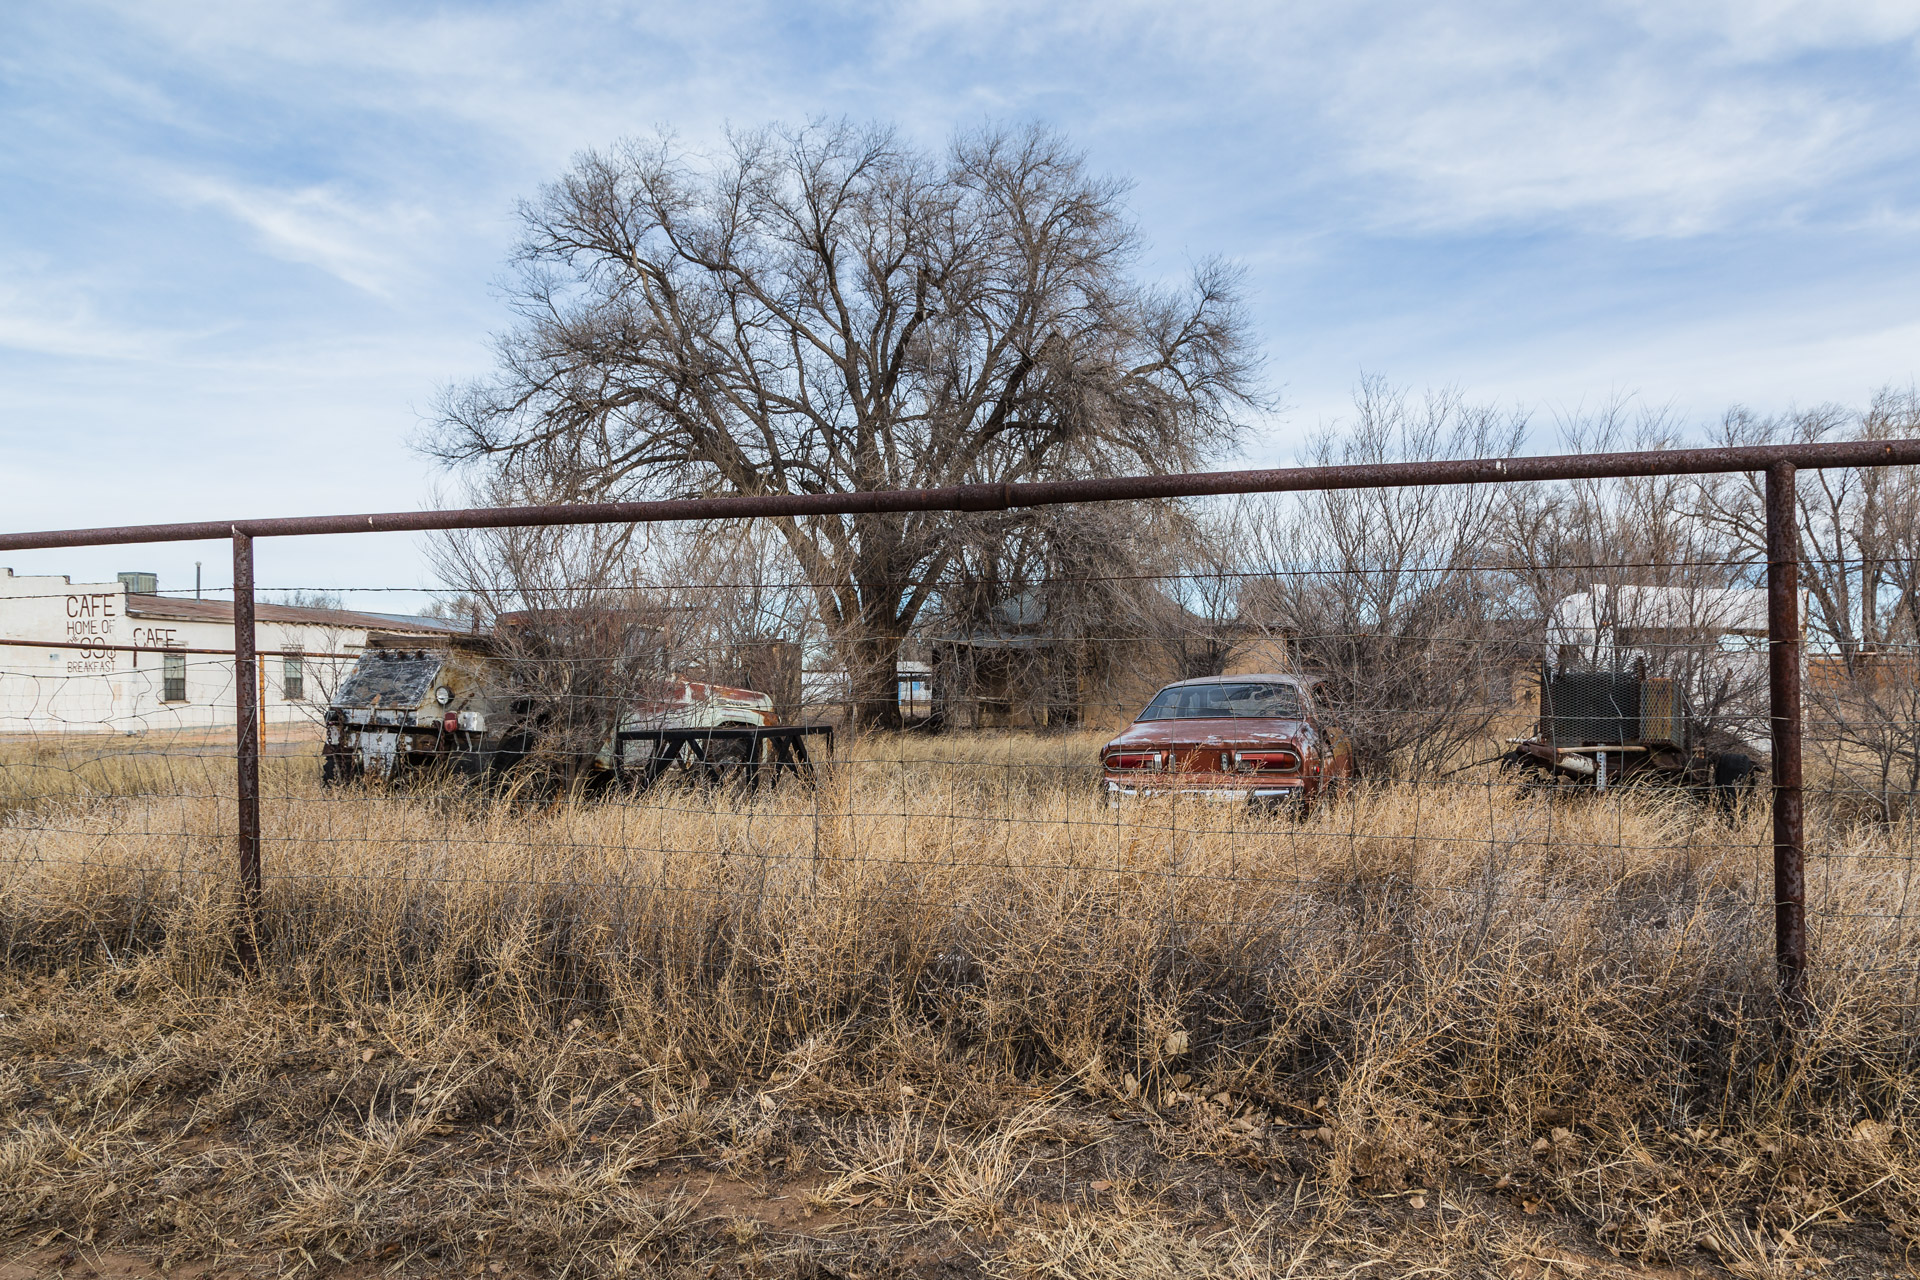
pixel 116 657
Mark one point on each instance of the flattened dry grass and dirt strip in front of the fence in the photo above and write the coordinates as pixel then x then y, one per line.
pixel 308 1168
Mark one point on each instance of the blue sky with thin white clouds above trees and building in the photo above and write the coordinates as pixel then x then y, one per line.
pixel 243 245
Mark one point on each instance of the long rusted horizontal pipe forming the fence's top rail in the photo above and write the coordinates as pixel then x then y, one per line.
pixel 1005 496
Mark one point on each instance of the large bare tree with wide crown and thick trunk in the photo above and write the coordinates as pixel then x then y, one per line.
pixel 828 310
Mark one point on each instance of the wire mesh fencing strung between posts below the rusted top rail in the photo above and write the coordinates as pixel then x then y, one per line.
pixel 1228 734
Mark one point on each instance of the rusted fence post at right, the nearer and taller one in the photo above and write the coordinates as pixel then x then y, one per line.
pixel 1785 699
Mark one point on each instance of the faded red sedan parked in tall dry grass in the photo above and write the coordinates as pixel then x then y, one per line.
pixel 1232 738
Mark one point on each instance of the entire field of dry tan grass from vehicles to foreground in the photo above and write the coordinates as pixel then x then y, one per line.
pixel 965 1016
